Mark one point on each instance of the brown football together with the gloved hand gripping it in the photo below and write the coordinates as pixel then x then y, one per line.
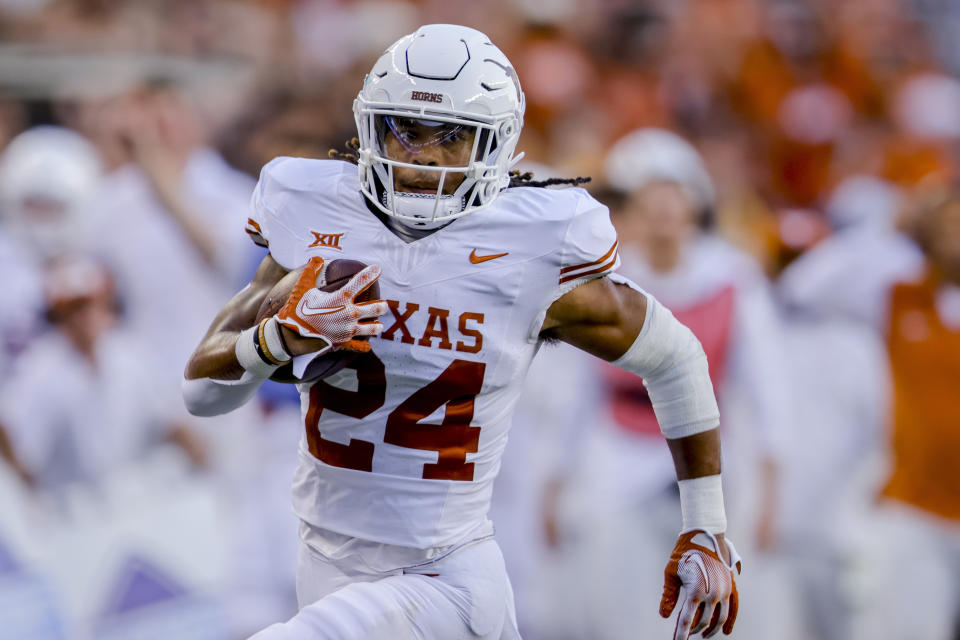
pixel 337 301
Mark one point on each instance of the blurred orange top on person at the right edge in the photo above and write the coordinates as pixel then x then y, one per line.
pixel 925 364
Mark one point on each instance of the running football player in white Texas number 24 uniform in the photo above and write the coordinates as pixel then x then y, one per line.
pixel 400 450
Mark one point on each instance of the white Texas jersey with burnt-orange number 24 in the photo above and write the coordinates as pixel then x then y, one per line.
pixel 402 447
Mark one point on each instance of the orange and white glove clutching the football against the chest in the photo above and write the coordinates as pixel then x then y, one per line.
pixel 333 316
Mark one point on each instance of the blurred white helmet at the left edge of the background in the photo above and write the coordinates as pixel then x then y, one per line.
pixel 48 176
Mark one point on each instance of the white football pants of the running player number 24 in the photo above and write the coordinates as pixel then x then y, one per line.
pixel 463 595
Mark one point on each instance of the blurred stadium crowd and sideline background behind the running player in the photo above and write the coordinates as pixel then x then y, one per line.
pixel 782 174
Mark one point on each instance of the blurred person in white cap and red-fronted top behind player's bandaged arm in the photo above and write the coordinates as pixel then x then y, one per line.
pixel 667 245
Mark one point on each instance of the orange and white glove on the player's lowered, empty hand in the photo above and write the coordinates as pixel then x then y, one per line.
pixel 710 599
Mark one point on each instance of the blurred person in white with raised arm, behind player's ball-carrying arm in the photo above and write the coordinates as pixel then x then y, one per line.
pixel 171 218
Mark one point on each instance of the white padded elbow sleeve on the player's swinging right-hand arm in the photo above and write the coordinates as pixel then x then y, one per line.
pixel 674 369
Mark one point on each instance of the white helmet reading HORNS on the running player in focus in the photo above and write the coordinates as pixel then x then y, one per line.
pixel 439 84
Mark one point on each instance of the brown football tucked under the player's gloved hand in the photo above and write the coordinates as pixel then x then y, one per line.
pixel 336 274
